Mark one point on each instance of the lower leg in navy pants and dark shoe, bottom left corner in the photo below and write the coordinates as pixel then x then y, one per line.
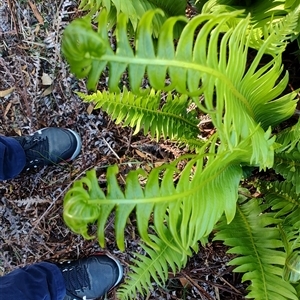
pixel 85 278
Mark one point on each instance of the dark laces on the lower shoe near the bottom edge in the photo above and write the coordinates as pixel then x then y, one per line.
pixel 76 278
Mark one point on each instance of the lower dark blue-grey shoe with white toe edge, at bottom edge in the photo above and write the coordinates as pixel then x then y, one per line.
pixel 92 277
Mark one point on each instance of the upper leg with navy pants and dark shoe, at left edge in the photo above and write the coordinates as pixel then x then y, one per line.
pixel 44 147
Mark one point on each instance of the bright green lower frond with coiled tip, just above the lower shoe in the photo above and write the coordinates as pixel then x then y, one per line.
pixel 188 209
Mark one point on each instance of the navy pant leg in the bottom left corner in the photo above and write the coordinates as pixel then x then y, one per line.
pixel 41 281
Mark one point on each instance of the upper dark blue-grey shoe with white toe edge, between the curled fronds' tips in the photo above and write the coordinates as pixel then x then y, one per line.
pixel 49 146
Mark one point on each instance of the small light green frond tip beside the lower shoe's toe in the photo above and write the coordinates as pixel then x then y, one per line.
pixel 155 265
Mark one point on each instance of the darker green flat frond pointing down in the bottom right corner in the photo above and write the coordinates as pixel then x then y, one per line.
pixel 253 236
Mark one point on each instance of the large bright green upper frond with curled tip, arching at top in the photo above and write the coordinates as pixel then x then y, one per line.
pixel 212 64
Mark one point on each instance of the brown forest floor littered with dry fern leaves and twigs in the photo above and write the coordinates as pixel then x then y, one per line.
pixel 36 91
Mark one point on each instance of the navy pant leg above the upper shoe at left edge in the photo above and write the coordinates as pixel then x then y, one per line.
pixel 12 158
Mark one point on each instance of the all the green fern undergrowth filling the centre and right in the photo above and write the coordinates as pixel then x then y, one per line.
pixel 207 67
